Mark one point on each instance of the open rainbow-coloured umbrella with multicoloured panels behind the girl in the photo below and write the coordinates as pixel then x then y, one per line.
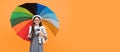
pixel 21 18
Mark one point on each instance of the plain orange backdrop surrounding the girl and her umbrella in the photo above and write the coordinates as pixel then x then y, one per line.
pixel 85 26
